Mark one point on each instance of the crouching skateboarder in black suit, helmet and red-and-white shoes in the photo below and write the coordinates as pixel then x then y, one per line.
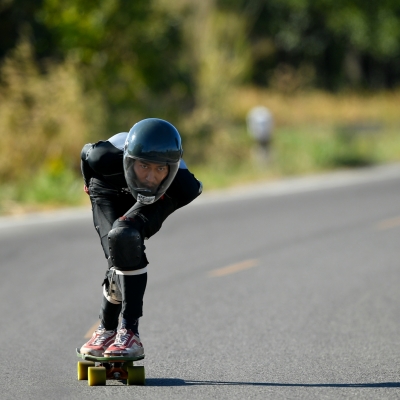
pixel 135 181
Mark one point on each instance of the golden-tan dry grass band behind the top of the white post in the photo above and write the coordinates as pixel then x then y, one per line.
pixel 312 107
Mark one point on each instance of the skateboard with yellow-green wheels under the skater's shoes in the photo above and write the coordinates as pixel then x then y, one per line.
pixel 97 370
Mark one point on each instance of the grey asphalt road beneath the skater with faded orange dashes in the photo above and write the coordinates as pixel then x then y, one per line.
pixel 280 291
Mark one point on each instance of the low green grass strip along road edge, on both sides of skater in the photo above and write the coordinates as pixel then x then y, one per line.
pixel 294 151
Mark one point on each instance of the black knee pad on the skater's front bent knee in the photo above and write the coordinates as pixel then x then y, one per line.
pixel 126 247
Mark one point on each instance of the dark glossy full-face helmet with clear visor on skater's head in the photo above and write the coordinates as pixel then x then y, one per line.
pixel 151 145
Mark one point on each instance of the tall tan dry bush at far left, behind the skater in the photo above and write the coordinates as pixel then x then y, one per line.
pixel 45 117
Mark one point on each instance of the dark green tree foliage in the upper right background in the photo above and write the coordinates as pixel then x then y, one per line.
pixel 345 42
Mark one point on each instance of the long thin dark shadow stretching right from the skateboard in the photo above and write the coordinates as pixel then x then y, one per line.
pixel 181 382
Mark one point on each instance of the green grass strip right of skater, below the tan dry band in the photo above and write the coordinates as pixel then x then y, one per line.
pixel 305 150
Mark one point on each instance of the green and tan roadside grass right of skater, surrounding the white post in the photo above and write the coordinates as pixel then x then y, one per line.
pixel 314 132
